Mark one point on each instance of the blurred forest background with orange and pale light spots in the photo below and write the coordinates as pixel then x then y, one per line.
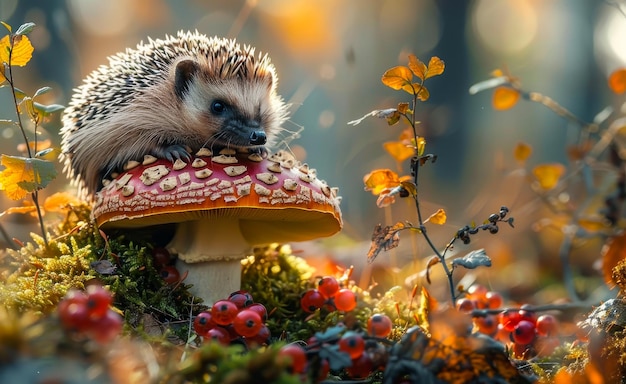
pixel 330 55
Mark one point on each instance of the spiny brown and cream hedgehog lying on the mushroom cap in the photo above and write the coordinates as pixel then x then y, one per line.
pixel 168 98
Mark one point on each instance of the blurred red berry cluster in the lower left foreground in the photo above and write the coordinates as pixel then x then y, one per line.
pixel 90 314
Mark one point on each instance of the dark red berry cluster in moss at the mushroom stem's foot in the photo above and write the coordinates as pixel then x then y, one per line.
pixel 235 318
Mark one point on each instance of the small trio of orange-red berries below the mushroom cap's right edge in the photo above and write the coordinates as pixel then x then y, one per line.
pixel 328 295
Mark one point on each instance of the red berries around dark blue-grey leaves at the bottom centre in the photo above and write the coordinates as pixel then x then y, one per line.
pixel 360 354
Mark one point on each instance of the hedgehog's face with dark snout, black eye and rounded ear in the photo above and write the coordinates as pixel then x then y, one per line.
pixel 232 112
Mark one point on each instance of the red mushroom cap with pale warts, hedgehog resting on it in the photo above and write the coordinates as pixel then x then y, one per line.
pixel 275 199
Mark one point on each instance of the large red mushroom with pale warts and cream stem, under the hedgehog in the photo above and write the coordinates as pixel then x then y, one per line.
pixel 224 204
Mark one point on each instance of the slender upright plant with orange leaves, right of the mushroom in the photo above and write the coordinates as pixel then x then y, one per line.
pixel 387 184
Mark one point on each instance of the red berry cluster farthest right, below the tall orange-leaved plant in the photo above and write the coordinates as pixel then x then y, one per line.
pixel 528 334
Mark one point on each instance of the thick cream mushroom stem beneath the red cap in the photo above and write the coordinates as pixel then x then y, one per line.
pixel 209 253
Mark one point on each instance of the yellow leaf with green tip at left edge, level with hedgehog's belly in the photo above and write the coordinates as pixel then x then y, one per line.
pixel 23 175
